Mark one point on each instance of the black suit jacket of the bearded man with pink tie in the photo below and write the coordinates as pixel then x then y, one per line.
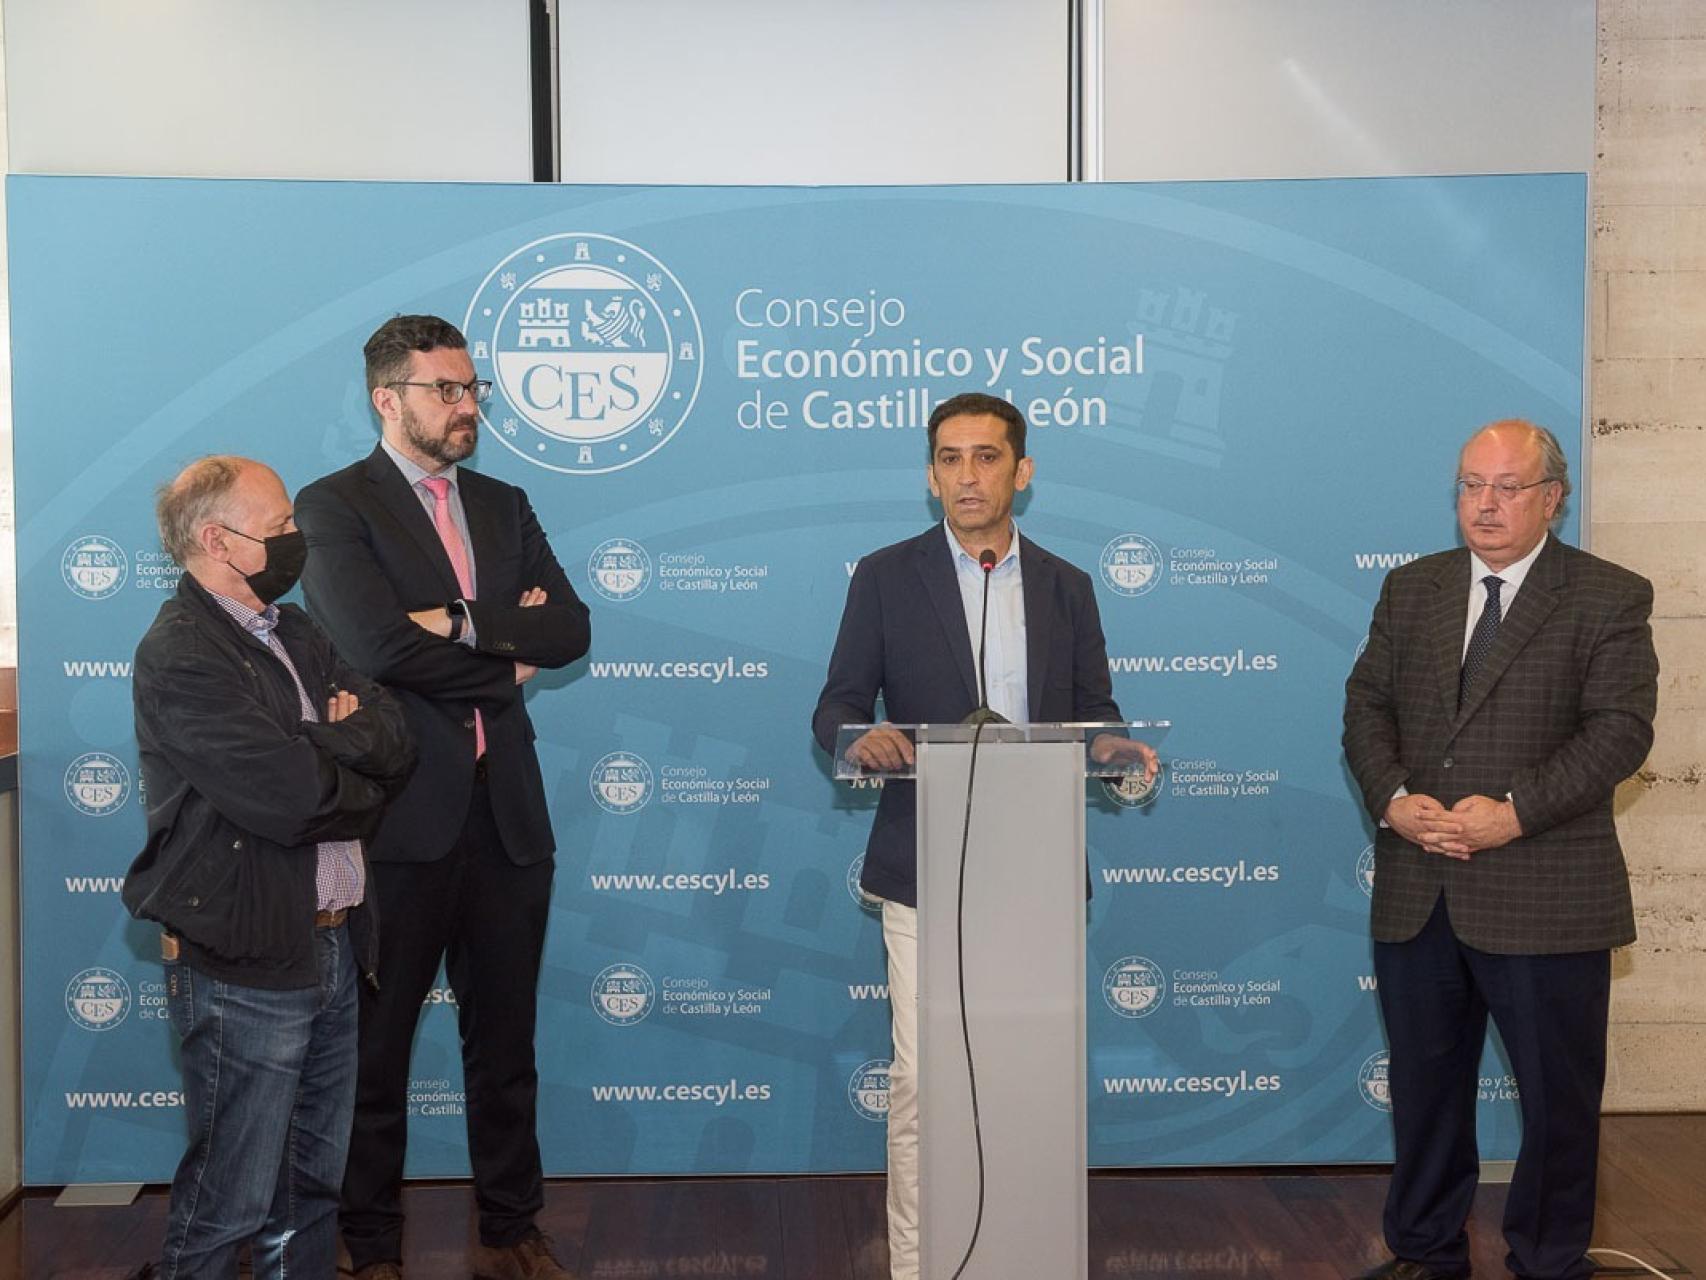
pixel 374 557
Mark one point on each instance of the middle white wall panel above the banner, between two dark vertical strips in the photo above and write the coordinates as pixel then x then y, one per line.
pixel 815 91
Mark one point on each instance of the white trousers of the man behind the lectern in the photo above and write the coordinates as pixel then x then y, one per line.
pixel 900 938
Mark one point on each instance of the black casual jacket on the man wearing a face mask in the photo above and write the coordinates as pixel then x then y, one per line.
pixel 241 789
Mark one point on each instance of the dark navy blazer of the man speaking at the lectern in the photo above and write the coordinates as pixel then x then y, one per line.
pixel 903 634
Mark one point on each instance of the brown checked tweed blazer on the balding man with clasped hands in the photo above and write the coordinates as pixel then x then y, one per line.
pixel 1558 716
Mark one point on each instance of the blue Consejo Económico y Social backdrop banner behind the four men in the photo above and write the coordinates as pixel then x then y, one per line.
pixel 1246 404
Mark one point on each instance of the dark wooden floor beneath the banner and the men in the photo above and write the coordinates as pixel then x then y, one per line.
pixel 1243 1226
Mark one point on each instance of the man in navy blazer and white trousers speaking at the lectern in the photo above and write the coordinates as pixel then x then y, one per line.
pixel 910 632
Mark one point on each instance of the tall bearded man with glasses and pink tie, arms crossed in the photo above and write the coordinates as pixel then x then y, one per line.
pixel 438 583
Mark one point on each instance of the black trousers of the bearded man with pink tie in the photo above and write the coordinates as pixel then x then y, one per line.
pixel 485 919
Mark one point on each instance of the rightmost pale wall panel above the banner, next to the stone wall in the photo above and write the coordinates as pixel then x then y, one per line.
pixel 1347 88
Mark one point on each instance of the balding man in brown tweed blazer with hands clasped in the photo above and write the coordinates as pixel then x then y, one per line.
pixel 1506 692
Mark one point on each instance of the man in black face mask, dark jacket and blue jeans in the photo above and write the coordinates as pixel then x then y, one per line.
pixel 267 764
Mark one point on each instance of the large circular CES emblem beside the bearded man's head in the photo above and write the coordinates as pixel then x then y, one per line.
pixel 595 351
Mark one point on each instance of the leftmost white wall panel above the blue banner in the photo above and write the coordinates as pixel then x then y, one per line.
pixel 410 90
